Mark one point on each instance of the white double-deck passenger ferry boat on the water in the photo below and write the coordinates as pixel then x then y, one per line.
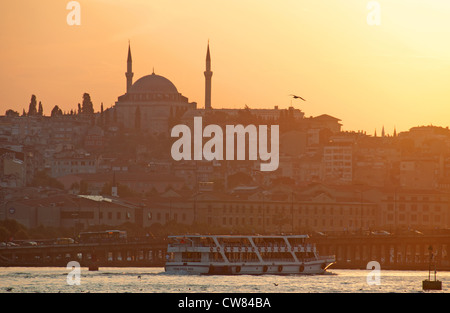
pixel 251 255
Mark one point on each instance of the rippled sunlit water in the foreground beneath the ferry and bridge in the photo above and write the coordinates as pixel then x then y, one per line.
pixel 155 280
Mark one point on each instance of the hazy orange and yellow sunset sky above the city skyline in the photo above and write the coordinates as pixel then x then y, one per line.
pixel 395 74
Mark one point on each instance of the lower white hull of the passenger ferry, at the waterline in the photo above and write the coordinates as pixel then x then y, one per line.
pixel 310 268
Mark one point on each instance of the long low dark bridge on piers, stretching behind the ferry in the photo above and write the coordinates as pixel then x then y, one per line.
pixel 402 252
